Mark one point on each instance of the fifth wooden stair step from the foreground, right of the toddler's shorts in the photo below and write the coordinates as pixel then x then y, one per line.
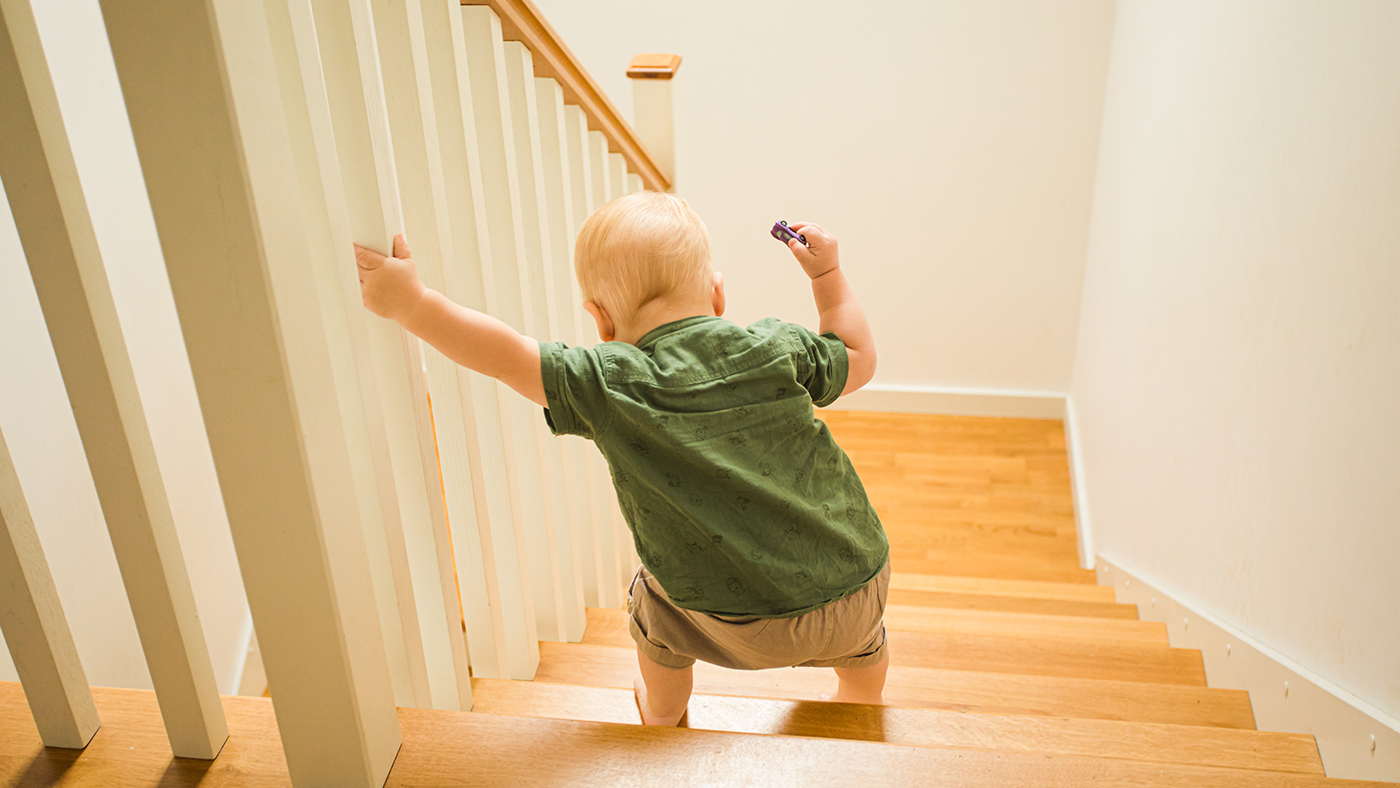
pixel 1108 632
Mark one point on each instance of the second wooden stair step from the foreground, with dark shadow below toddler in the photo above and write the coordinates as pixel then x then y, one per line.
pixel 920 727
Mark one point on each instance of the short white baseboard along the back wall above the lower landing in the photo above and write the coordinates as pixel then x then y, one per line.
pixel 955 402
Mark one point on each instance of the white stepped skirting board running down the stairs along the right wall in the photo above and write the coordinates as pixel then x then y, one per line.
pixel 1356 740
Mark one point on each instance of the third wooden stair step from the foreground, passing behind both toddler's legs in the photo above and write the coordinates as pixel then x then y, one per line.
pixel 925 688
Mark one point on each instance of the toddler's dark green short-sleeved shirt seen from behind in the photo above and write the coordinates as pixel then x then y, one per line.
pixel 738 499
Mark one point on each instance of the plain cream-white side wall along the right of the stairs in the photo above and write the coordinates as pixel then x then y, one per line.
pixel 1238 374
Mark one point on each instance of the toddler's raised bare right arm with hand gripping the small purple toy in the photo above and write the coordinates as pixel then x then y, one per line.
pixel 836 306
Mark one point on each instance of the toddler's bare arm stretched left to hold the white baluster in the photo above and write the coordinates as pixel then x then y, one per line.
pixel 391 289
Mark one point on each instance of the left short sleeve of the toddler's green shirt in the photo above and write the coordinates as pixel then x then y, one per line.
pixel 576 397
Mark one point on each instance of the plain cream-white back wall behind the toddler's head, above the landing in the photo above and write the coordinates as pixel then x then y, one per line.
pixel 950 145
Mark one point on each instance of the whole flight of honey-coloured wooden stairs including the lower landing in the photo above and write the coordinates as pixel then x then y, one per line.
pixel 1009 668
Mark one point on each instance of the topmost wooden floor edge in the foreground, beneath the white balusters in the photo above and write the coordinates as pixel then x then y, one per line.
pixel 443 748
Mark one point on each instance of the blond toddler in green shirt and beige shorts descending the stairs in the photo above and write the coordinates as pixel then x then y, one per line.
pixel 759 547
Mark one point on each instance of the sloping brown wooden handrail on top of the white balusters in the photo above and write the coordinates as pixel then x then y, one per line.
pixel 523 22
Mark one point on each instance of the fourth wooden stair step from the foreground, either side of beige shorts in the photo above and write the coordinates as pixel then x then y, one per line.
pixel 995 654
